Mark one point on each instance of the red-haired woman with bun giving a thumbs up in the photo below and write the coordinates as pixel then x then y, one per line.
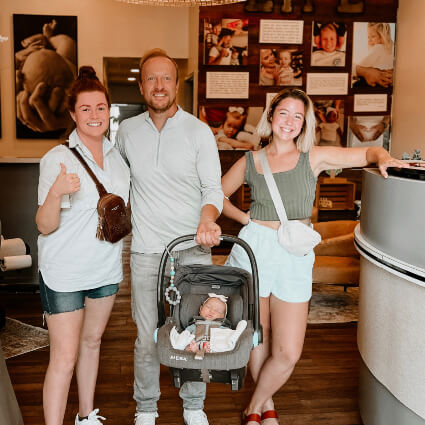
pixel 79 274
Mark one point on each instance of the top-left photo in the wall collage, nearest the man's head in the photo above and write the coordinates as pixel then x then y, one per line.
pixel 226 41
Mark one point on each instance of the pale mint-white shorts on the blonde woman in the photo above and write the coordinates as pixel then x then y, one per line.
pixel 286 276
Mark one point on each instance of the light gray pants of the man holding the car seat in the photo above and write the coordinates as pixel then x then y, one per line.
pixel 144 276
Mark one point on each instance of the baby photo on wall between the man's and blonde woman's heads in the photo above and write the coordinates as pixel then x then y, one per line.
pixel 233 126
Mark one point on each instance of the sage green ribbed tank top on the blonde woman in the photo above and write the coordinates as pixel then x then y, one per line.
pixel 297 188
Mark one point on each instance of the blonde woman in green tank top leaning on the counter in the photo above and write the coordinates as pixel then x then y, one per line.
pixel 285 278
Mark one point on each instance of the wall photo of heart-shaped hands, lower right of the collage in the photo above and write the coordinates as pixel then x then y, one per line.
pixel 369 130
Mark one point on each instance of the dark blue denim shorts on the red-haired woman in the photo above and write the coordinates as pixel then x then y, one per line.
pixel 54 302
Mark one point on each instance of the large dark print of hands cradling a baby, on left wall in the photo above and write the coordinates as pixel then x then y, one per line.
pixel 45 48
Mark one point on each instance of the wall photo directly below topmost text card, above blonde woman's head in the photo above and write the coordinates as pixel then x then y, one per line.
pixel 281 67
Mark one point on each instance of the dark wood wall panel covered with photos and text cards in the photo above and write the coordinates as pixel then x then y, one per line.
pixel 345 66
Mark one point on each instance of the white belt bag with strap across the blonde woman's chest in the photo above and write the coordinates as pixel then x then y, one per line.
pixel 295 236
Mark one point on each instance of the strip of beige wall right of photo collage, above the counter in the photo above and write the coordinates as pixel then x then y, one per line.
pixel 408 130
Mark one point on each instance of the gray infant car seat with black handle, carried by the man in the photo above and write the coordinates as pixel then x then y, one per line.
pixel 194 282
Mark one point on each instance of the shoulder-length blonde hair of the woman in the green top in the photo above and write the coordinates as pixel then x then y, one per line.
pixel 305 140
